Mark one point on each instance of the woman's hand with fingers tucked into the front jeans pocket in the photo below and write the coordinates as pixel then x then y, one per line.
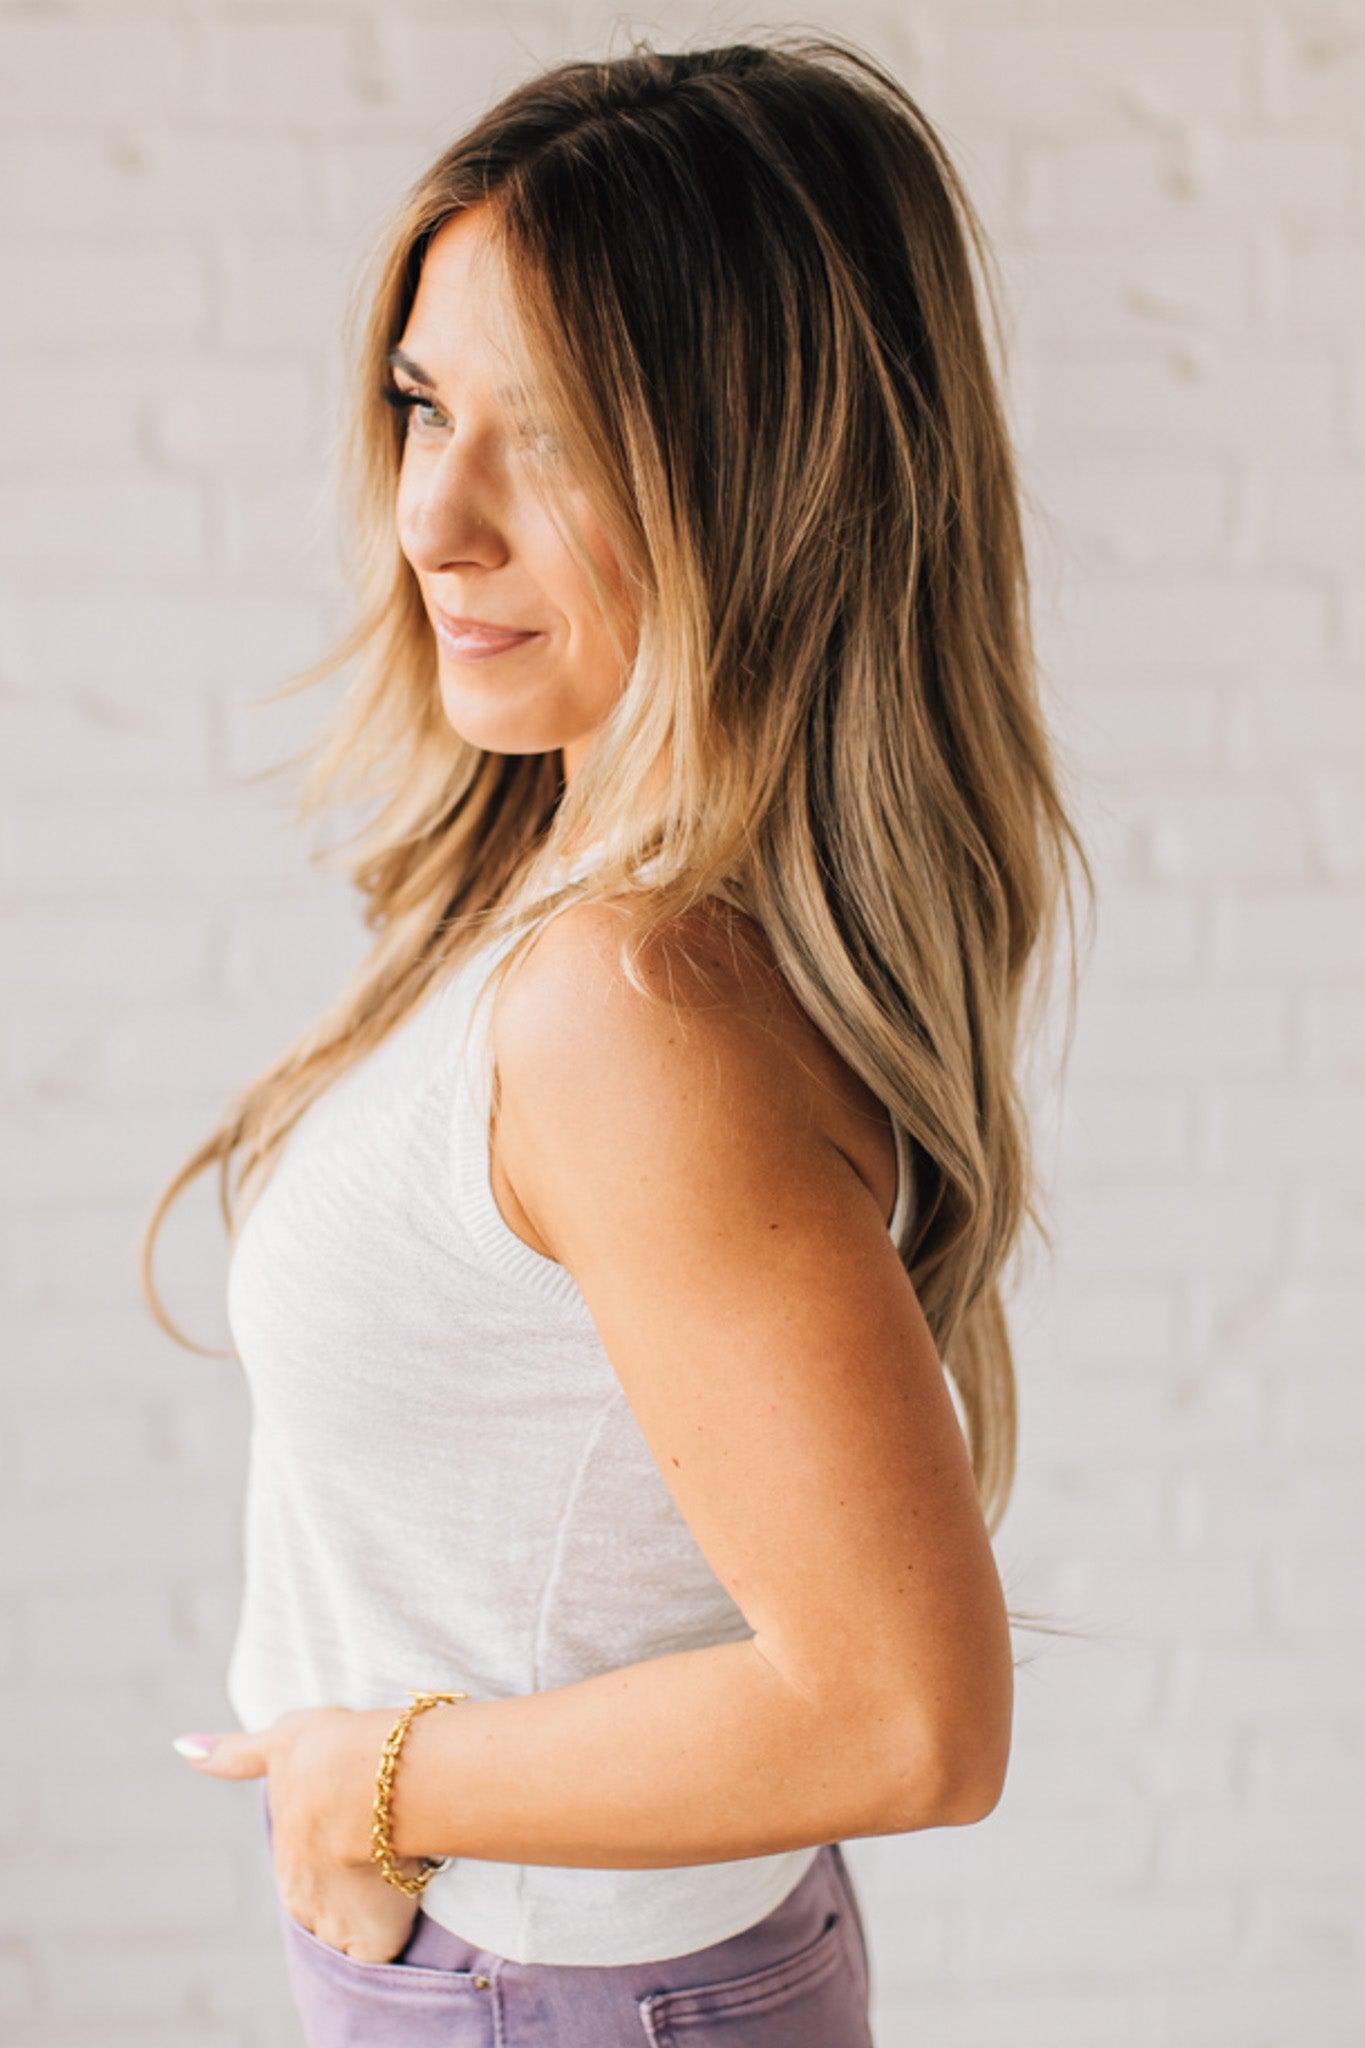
pixel 322 1883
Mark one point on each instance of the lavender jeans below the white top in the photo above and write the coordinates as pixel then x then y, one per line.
pixel 797 1979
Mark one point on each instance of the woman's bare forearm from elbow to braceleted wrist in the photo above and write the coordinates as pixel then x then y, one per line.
pixel 691 1758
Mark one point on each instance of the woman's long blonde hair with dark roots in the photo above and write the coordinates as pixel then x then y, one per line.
pixel 746 300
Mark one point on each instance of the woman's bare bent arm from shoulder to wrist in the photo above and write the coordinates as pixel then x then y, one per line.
pixel 781 1369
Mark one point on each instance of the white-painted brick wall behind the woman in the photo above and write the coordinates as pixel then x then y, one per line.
pixel 1180 204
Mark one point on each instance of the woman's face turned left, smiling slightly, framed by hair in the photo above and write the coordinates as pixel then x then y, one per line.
pixel 476 531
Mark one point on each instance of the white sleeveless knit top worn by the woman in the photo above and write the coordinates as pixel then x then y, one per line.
pixel 447 1488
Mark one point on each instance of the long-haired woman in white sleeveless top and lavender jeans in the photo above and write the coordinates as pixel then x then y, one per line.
pixel 607 1261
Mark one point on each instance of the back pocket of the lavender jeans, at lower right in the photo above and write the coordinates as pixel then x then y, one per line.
pixel 807 2000
